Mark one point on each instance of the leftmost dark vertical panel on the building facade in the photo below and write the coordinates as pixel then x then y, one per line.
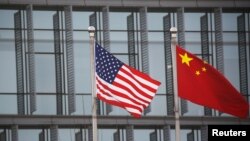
pixel 19 63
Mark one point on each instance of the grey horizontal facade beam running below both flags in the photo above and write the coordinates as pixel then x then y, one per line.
pixel 41 121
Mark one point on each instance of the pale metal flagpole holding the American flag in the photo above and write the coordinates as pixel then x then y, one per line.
pixel 91 30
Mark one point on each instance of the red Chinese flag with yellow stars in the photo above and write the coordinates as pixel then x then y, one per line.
pixel 202 84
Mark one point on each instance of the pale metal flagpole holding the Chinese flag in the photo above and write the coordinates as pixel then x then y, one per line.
pixel 173 31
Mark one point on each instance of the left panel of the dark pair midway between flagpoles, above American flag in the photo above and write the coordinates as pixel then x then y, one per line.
pixel 131 41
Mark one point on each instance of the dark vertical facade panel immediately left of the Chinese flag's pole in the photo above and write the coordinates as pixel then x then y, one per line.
pixel 168 64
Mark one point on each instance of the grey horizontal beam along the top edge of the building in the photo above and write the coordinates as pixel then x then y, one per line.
pixel 133 3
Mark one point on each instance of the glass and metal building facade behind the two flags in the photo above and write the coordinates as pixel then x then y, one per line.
pixel 45 81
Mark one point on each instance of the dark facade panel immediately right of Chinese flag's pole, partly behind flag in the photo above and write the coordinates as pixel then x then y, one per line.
pixel 181 42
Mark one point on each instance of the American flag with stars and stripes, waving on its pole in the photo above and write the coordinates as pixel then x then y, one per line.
pixel 121 85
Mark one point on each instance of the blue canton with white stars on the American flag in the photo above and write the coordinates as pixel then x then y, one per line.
pixel 107 66
